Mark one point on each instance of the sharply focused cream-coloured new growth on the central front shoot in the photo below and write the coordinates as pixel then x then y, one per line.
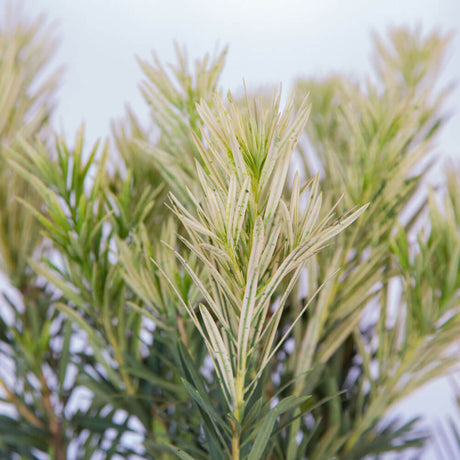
pixel 253 243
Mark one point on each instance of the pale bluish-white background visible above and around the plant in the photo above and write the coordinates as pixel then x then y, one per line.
pixel 269 42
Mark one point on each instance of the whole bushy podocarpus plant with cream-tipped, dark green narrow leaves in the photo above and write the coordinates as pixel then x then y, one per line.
pixel 212 295
